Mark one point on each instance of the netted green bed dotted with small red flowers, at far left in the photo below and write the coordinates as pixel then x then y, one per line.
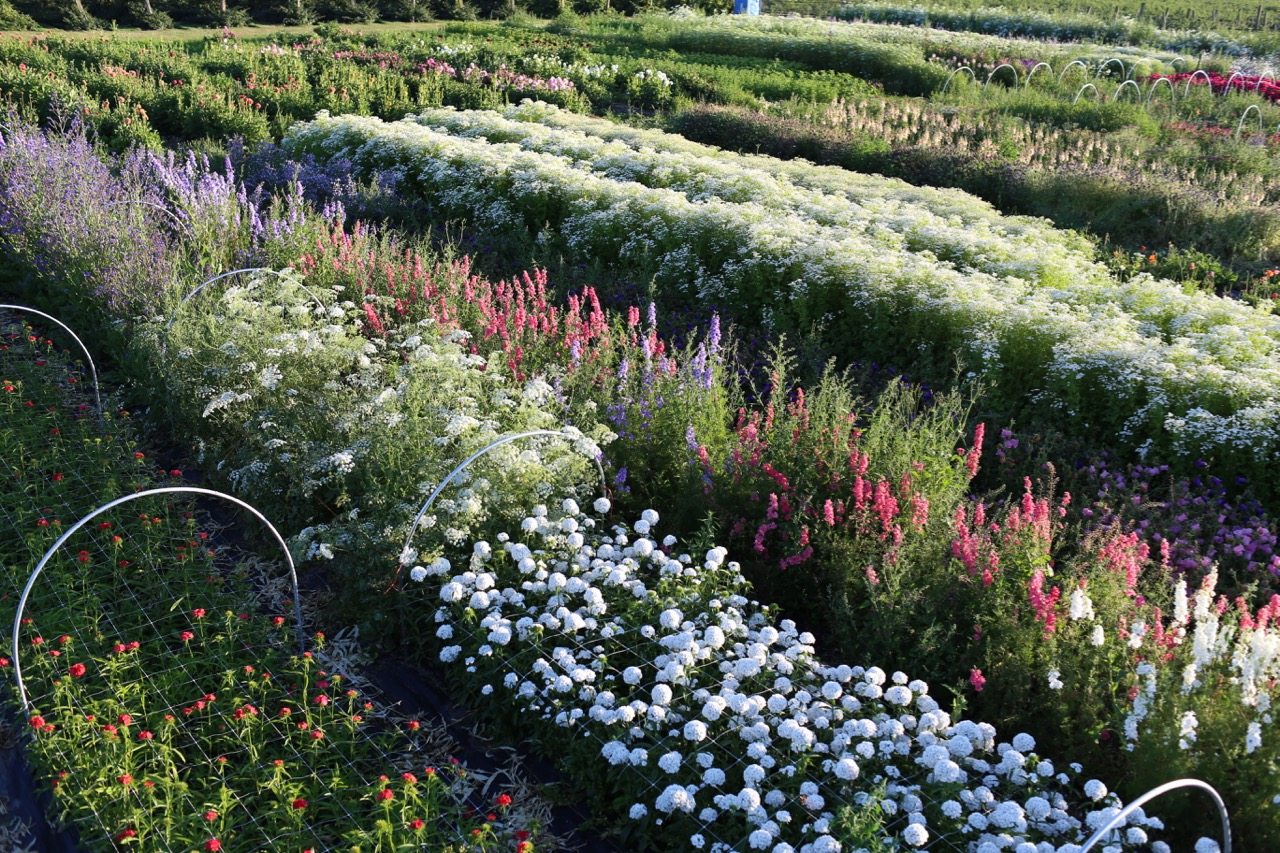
pixel 164 700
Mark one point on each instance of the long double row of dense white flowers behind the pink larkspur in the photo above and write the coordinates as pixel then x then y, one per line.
pixel 1190 371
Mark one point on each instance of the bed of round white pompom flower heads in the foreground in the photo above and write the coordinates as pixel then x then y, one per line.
pixel 723 722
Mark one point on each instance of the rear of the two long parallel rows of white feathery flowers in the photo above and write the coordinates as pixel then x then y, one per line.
pixel 952 225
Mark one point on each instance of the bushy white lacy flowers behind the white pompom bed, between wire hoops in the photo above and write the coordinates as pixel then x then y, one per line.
pixel 371 423
